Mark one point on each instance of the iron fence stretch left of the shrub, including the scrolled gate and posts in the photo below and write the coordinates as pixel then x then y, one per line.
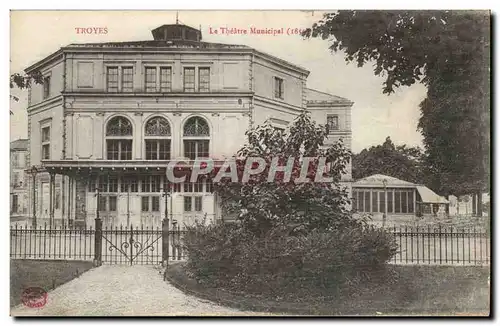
pixel 103 245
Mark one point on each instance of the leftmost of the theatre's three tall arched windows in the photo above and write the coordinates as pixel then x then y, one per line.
pixel 119 139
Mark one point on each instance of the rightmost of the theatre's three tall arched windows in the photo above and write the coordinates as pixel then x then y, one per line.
pixel 196 135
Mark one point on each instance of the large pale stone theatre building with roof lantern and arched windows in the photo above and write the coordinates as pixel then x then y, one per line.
pixel 110 116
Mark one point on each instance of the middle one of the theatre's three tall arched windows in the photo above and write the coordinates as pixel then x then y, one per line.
pixel 157 136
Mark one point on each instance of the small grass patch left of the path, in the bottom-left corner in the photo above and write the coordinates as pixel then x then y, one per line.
pixel 42 273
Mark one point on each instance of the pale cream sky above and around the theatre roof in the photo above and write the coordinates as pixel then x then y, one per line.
pixel 37 34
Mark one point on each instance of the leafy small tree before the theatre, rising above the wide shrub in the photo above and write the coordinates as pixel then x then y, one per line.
pixel 261 205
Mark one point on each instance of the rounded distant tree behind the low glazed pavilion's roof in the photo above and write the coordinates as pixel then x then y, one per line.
pixel 401 162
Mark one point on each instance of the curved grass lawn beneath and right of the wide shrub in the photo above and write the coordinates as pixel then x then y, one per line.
pixel 415 290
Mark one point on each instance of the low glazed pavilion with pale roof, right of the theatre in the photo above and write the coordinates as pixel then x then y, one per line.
pixel 379 194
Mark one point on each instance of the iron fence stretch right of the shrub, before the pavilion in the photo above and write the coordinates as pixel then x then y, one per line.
pixel 441 245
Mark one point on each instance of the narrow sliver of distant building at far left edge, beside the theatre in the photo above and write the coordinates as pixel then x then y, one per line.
pixel 18 187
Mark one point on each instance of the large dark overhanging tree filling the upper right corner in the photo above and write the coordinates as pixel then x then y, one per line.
pixel 447 51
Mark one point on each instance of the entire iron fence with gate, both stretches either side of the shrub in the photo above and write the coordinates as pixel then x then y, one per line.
pixel 155 245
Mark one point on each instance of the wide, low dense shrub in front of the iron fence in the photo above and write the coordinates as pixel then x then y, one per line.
pixel 281 262
